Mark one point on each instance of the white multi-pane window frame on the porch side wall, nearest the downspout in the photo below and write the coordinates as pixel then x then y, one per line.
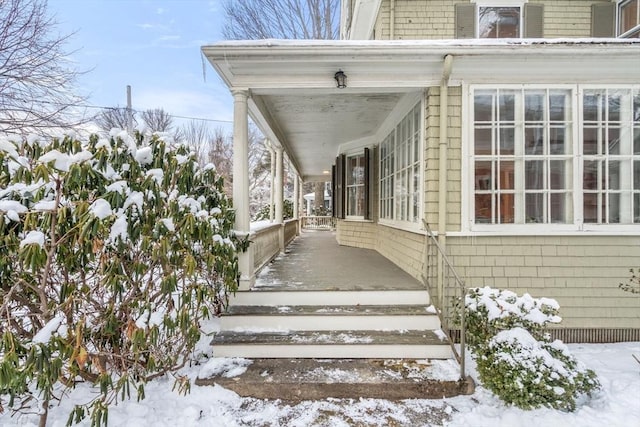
pixel 416 181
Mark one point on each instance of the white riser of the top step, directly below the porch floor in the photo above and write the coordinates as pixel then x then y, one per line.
pixel 330 296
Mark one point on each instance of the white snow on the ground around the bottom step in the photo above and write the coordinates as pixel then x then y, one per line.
pixel 617 404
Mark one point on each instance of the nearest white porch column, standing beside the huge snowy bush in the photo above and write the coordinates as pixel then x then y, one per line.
pixel 241 183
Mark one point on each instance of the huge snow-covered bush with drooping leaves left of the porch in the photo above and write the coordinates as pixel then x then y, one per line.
pixel 112 251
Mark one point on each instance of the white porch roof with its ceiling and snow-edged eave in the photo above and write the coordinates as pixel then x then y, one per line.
pixel 295 102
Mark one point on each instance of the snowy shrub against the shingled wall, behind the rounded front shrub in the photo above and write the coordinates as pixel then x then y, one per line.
pixel 490 311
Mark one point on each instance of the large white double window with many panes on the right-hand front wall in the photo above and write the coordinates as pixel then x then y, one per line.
pixel 531 167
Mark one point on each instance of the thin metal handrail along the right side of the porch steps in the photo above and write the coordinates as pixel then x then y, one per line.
pixel 444 312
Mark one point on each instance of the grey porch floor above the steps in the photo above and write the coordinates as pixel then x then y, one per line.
pixel 314 261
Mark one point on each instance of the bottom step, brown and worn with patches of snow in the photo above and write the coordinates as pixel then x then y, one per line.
pixel 296 380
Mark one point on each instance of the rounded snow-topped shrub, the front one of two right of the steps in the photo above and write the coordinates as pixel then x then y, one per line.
pixel 528 373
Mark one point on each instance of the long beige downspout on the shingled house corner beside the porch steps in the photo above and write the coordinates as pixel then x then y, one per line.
pixel 443 169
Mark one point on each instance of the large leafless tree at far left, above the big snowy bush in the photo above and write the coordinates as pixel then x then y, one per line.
pixel 36 79
